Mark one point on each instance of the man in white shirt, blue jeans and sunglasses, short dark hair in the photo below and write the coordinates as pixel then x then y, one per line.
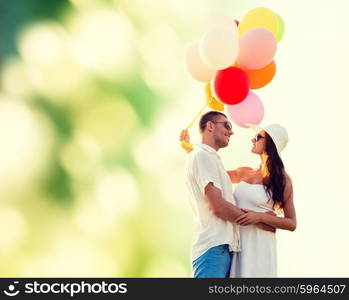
pixel 211 198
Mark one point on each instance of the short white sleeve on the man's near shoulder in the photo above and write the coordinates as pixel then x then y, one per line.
pixel 206 171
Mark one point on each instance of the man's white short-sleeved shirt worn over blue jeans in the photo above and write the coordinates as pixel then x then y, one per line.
pixel 204 166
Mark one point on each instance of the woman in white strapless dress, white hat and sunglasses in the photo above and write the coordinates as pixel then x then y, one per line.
pixel 267 188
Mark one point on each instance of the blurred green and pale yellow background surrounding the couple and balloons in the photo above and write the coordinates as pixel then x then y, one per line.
pixel 93 94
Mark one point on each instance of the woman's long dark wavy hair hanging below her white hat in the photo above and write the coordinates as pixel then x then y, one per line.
pixel 275 181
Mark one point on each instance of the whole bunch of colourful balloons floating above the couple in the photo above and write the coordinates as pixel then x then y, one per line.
pixel 233 58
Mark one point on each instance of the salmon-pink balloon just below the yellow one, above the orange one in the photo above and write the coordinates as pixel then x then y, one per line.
pixel 257 48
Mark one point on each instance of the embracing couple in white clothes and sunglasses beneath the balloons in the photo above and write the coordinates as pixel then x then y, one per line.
pixel 234 232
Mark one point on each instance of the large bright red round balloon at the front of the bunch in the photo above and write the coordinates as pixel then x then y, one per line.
pixel 231 85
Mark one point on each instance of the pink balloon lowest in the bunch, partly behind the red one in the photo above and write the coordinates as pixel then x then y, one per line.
pixel 249 111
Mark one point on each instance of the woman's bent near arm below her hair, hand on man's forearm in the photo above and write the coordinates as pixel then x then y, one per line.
pixel 288 222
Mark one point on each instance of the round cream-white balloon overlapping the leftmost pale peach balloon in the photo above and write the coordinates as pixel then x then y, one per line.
pixel 219 48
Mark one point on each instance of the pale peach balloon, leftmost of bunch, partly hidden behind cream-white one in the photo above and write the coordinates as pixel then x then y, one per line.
pixel 196 67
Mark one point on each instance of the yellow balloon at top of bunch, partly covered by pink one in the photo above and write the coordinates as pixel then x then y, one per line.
pixel 259 17
